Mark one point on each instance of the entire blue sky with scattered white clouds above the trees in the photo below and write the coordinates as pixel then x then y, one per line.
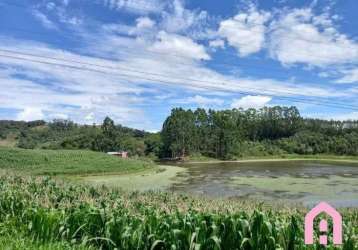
pixel 134 60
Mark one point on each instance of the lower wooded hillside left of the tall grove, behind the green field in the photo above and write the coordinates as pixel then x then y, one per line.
pixel 65 134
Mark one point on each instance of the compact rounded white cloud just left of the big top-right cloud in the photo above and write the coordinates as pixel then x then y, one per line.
pixel 245 31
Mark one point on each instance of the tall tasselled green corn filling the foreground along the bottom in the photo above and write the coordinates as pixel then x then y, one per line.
pixel 45 211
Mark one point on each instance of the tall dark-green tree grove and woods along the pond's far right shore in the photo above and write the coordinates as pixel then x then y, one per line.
pixel 236 133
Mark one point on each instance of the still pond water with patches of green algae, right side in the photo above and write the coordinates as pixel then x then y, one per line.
pixel 305 182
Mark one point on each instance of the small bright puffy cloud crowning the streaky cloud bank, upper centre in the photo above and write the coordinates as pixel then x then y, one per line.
pixel 179 45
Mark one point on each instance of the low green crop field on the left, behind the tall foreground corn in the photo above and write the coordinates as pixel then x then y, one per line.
pixel 55 162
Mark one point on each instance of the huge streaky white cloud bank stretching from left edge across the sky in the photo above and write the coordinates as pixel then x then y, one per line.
pixel 119 90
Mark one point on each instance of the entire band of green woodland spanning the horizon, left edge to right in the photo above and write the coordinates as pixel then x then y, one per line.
pixel 221 134
